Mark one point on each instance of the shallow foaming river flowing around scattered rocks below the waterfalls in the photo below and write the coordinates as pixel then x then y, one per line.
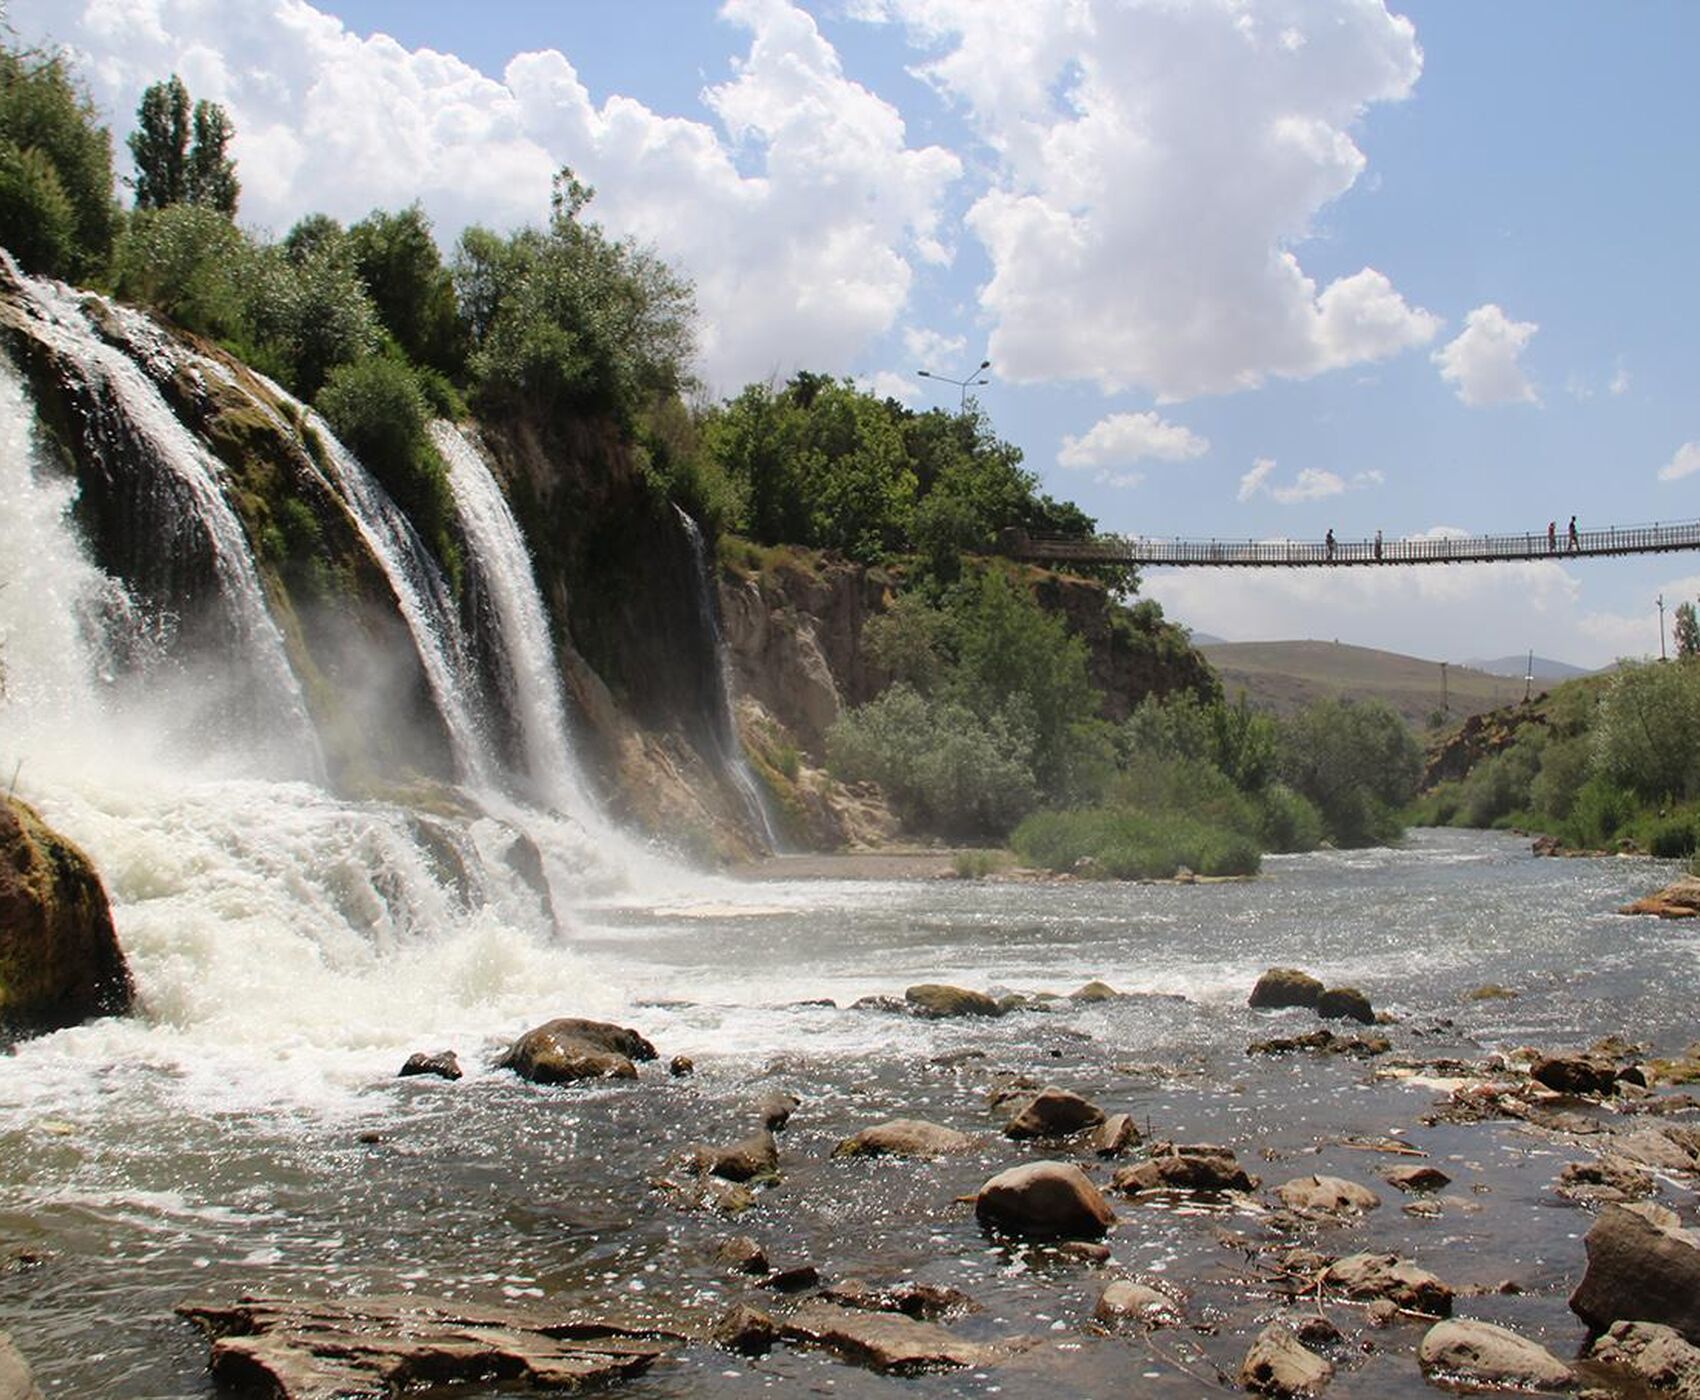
pixel 249 1132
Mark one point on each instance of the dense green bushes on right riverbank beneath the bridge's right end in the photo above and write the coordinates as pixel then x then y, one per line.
pixel 1602 764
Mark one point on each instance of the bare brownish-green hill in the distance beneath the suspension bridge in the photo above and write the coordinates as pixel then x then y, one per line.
pixel 1286 677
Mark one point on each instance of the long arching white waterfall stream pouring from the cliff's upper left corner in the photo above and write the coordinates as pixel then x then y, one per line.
pixel 173 482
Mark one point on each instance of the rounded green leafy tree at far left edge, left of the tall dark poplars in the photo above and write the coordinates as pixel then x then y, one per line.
pixel 57 210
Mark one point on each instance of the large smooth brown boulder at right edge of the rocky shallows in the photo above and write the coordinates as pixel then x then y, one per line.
pixel 1643 1267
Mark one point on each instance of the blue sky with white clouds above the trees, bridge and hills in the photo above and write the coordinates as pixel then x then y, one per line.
pixel 1244 268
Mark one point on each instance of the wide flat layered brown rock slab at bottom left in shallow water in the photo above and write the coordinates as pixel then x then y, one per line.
pixel 312 1348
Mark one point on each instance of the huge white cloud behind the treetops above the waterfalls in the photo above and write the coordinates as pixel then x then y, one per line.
pixel 798 205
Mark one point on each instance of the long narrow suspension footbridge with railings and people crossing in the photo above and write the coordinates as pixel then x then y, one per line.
pixel 1288 555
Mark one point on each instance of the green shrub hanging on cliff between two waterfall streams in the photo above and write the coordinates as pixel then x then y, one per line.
pixel 382 417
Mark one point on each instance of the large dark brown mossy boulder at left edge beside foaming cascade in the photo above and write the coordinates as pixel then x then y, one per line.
pixel 60 962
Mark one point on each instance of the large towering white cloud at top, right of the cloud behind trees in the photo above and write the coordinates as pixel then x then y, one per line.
pixel 1157 166
